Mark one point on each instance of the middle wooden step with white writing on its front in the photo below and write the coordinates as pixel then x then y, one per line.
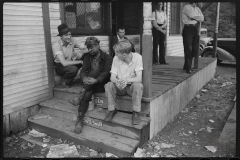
pixel 121 123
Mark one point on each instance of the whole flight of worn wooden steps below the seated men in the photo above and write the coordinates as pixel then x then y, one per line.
pixel 119 136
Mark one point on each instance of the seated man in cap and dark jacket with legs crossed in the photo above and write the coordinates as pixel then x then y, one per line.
pixel 95 74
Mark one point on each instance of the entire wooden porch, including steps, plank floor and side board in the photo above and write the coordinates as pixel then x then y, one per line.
pixel 172 87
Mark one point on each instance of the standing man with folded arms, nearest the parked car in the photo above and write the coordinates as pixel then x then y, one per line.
pixel 191 15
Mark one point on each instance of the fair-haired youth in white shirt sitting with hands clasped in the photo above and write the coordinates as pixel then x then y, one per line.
pixel 126 78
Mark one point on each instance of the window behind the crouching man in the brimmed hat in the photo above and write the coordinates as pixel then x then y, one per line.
pixel 87 18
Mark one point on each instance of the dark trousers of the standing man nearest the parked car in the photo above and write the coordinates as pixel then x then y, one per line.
pixel 189 35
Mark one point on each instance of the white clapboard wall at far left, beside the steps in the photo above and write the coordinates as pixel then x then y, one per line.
pixel 25 80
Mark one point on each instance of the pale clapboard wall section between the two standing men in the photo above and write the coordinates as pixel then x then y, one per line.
pixel 174 42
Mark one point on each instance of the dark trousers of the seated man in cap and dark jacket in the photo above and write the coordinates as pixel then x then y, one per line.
pixel 89 91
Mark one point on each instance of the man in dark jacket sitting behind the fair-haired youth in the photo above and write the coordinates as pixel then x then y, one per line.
pixel 120 37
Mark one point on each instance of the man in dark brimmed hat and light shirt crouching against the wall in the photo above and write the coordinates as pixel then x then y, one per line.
pixel 66 61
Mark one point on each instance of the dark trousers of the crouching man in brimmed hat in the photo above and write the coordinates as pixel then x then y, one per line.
pixel 67 73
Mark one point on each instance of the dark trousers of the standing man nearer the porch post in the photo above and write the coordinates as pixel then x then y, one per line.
pixel 158 40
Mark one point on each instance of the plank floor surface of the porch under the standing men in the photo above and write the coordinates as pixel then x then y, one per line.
pixel 165 77
